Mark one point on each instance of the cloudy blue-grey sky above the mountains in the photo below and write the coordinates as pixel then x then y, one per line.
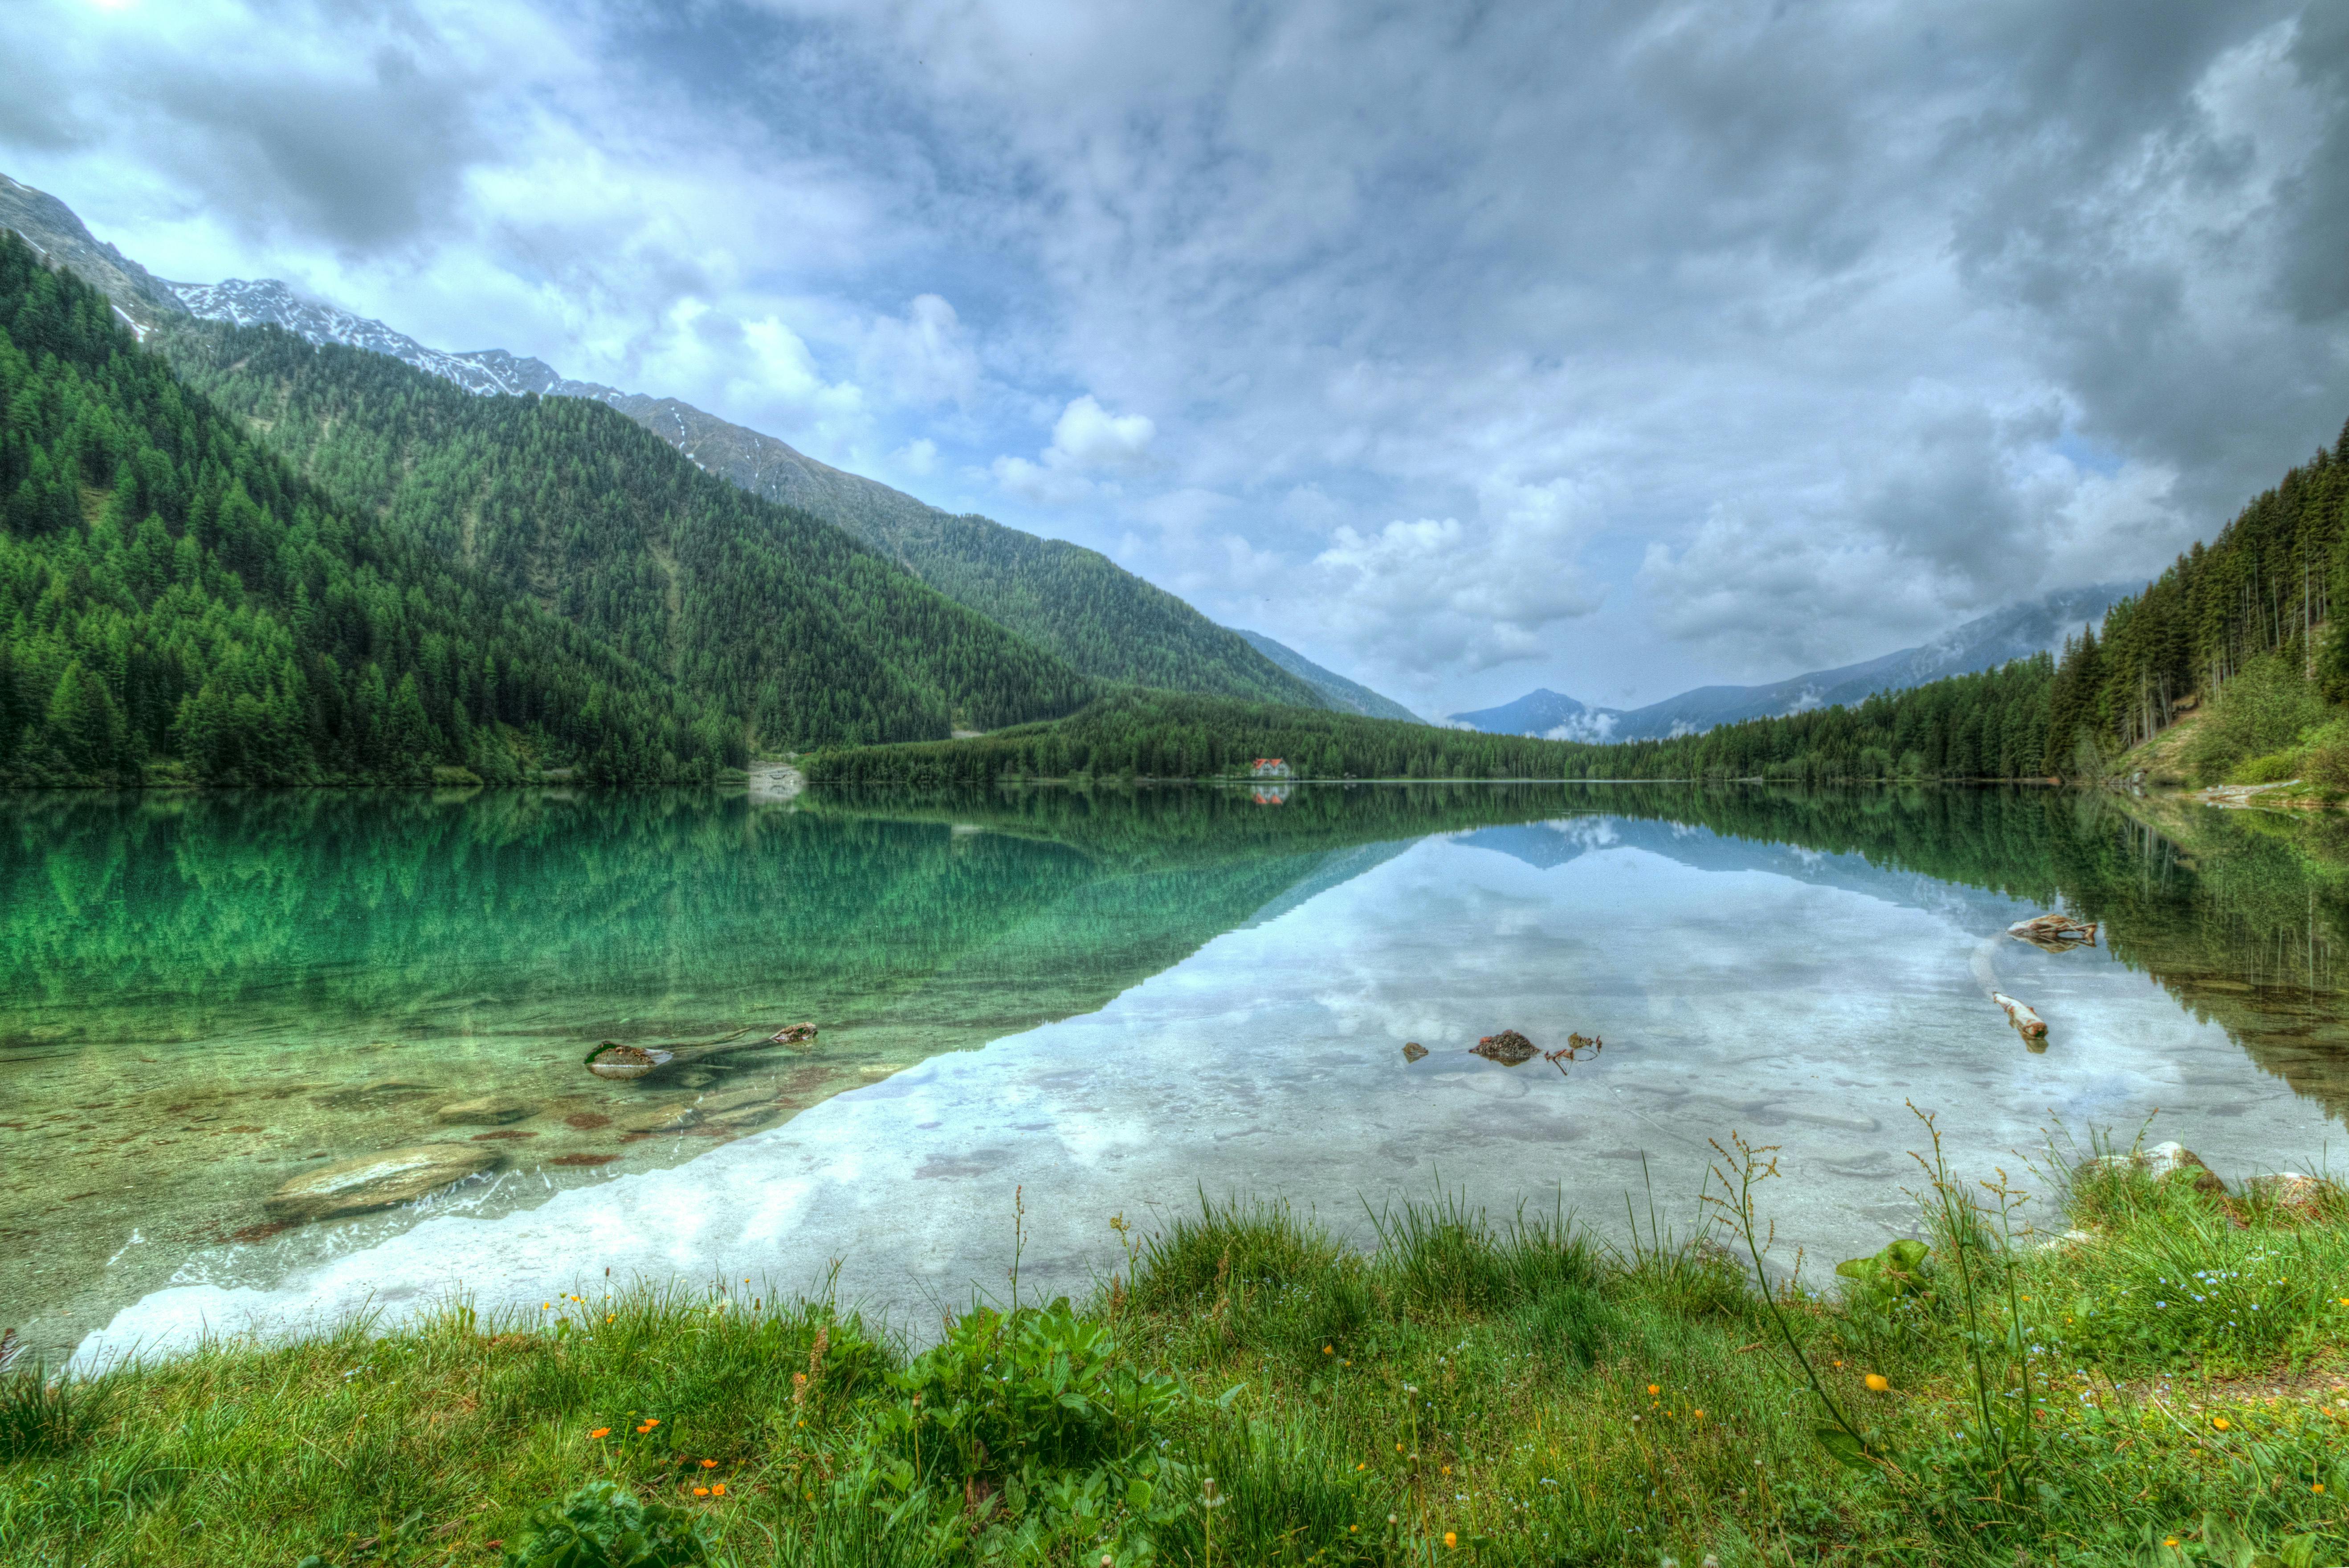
pixel 1467 349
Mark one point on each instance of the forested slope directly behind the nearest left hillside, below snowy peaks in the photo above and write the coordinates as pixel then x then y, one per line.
pixel 767 611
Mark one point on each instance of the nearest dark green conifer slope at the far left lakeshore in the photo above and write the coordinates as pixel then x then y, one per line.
pixel 170 593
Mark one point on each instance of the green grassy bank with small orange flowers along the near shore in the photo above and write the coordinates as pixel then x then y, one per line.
pixel 1469 1391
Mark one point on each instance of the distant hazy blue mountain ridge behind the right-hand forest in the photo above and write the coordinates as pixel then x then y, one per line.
pixel 1981 644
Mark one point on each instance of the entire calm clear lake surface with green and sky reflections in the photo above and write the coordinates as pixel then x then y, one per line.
pixel 1108 1003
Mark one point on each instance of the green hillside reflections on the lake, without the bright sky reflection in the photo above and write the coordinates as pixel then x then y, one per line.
pixel 198 996
